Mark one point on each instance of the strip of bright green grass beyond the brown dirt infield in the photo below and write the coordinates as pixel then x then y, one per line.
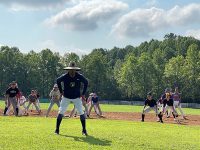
pixel 115 108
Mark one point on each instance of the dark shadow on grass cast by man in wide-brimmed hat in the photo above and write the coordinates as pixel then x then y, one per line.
pixel 90 139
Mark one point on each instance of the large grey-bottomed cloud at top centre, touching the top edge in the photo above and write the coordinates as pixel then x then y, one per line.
pixel 87 14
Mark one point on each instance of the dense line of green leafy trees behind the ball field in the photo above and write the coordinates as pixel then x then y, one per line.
pixel 119 73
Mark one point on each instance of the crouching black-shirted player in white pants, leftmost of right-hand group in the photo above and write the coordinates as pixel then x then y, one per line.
pixel 152 105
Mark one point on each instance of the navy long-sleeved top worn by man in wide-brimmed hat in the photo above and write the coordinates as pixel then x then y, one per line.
pixel 72 85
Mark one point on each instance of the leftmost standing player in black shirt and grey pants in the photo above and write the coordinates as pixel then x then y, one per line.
pixel 11 93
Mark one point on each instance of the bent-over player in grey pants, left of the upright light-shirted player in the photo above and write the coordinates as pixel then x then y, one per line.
pixel 32 98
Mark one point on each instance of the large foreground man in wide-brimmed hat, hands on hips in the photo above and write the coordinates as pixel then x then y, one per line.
pixel 71 93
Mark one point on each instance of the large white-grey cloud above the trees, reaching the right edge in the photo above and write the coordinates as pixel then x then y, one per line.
pixel 144 22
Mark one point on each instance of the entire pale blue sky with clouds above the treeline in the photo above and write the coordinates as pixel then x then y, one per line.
pixel 82 25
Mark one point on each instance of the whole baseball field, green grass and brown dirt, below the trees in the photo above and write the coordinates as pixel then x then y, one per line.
pixel 119 129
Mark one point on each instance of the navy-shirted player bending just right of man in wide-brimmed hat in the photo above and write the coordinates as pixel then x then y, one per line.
pixel 95 104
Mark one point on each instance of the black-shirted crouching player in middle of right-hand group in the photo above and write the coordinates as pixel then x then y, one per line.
pixel 169 103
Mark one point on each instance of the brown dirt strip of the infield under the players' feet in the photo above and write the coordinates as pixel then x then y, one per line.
pixel 129 116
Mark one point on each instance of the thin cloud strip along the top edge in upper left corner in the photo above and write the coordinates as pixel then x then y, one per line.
pixel 18 5
